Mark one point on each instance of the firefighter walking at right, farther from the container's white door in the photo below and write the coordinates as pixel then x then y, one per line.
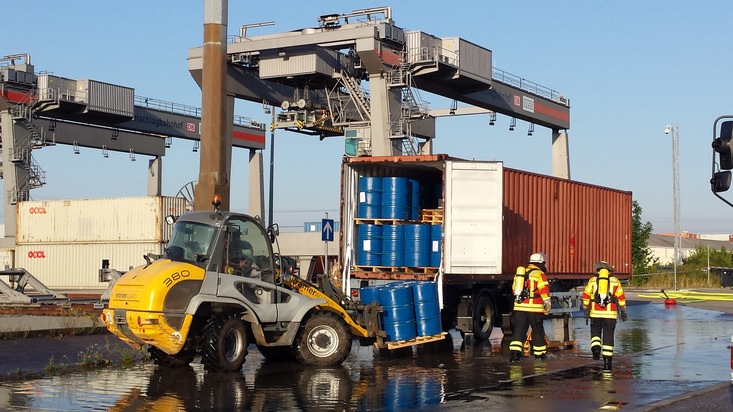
pixel 603 297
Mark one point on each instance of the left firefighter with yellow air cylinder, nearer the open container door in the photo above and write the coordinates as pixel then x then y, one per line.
pixel 531 305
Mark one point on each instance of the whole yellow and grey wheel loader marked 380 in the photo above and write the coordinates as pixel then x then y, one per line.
pixel 217 287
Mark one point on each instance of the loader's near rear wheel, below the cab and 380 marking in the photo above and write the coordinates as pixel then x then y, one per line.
pixel 225 344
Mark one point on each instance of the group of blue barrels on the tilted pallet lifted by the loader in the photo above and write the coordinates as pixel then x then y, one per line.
pixel 409 309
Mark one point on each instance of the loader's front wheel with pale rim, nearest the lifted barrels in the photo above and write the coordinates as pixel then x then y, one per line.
pixel 324 340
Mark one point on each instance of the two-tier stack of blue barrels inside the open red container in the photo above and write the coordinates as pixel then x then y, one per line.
pixel 406 242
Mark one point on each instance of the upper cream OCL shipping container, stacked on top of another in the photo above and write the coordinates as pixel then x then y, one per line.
pixel 126 219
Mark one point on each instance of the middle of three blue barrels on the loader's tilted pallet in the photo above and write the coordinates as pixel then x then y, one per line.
pixel 398 312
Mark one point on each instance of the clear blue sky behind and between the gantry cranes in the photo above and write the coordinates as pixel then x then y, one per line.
pixel 628 67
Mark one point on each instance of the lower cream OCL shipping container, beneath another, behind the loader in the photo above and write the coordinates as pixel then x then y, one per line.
pixel 76 265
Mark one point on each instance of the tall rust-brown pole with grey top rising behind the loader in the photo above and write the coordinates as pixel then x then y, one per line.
pixel 214 165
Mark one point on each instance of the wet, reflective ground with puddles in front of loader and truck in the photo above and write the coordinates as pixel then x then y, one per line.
pixel 674 350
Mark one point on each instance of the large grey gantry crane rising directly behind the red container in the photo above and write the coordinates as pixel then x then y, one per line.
pixel 317 76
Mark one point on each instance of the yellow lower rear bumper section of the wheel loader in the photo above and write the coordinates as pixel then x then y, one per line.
pixel 151 328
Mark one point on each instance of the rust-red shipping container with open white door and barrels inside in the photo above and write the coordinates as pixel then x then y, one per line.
pixel 490 218
